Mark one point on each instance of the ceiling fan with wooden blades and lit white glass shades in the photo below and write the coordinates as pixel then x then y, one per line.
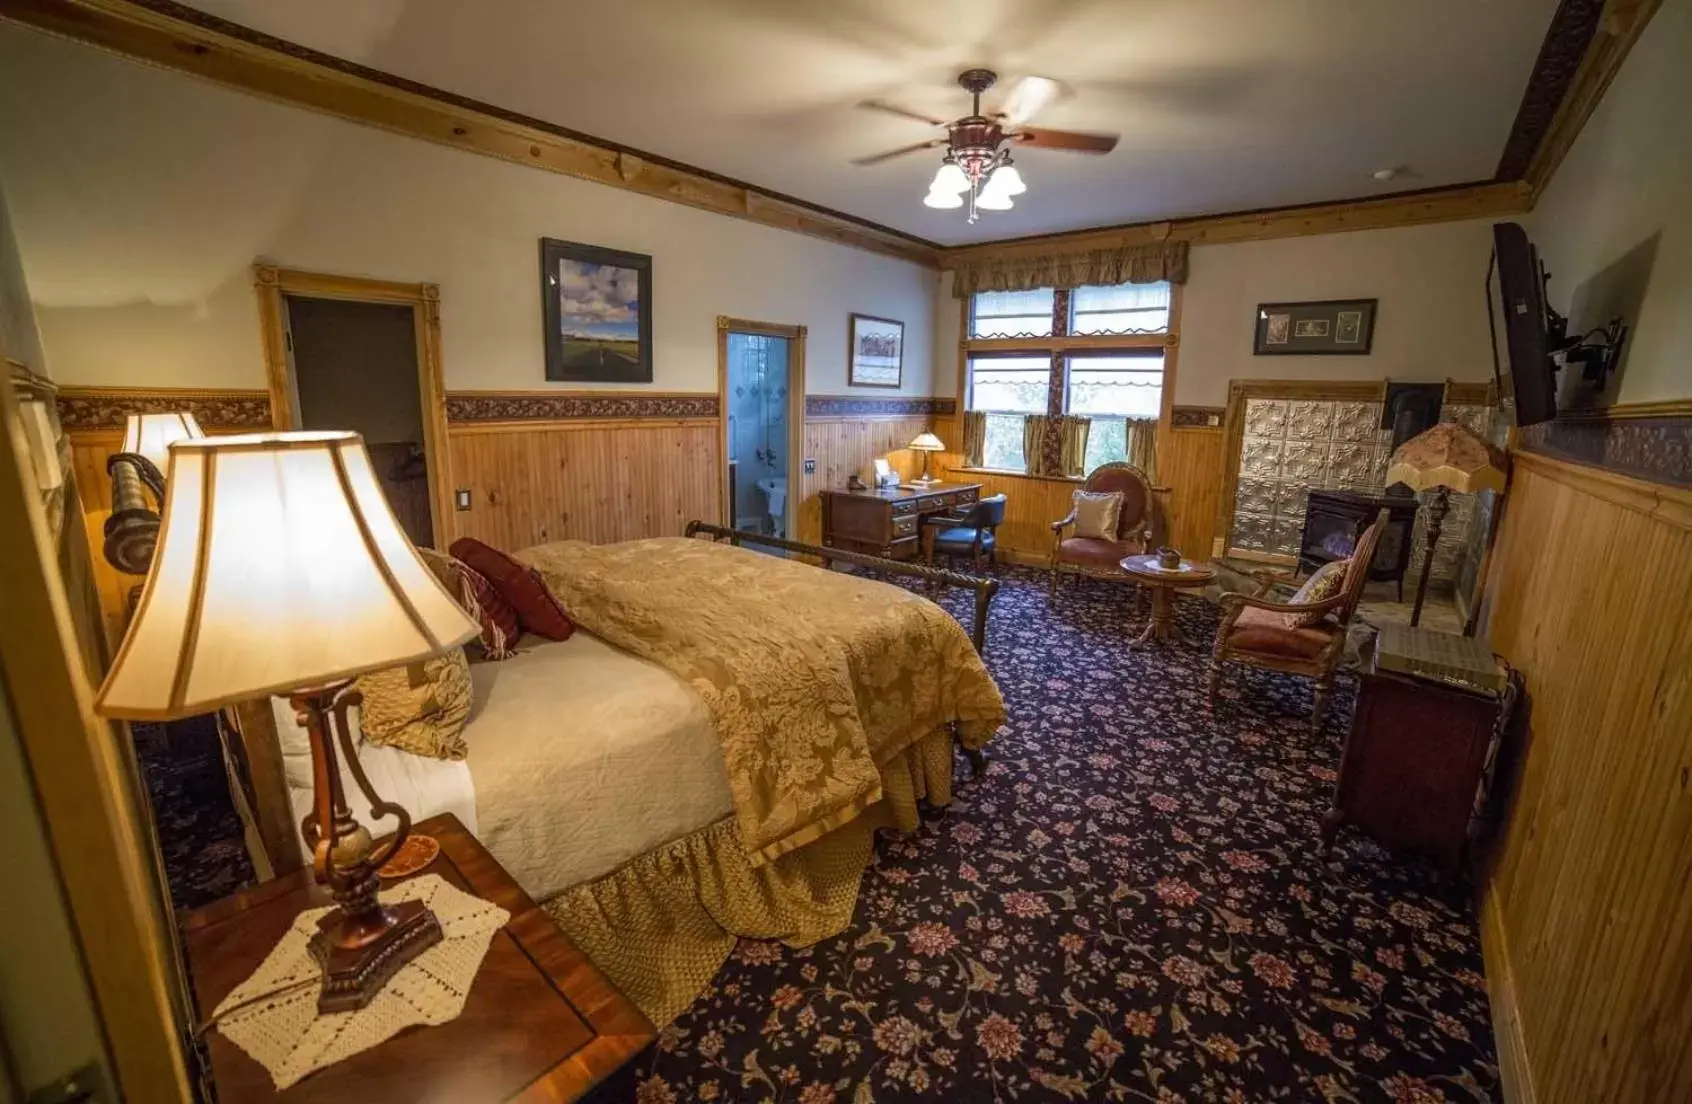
pixel 977 162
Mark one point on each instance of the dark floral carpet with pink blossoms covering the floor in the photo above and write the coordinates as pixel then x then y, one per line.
pixel 1131 907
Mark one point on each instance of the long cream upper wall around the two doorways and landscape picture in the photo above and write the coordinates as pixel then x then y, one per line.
pixel 141 199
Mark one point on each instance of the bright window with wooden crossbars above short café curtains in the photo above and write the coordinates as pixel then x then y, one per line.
pixel 1097 353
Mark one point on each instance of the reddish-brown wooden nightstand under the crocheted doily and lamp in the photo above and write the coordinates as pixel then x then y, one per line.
pixel 542 1024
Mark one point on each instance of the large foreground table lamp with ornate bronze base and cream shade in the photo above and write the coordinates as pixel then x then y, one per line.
pixel 283 571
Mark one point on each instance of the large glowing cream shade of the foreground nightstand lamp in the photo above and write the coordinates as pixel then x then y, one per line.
pixel 280 566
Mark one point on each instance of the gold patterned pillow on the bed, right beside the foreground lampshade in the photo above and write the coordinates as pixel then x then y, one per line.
pixel 420 707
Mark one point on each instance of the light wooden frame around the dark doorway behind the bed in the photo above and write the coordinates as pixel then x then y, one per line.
pixel 273 284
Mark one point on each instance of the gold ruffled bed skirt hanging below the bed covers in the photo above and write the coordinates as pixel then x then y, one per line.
pixel 662 924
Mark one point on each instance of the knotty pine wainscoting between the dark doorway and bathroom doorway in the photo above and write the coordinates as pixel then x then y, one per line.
pixel 596 482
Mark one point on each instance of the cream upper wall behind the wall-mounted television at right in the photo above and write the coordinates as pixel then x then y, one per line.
pixel 1615 224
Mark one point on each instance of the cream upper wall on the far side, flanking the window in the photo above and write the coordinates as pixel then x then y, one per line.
pixel 1431 323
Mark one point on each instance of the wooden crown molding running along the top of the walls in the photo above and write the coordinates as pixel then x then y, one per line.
pixel 187 40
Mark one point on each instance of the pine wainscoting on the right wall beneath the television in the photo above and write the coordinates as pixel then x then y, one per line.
pixel 1591 597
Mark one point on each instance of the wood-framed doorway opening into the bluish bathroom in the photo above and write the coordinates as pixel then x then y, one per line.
pixel 762 392
